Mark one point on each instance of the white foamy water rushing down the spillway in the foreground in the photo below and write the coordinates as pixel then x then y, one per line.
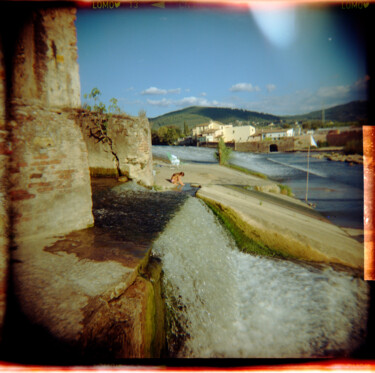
pixel 230 304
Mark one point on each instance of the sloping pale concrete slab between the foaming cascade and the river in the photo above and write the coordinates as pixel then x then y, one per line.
pixel 286 227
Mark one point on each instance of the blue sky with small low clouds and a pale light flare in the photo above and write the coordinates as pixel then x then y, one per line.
pixel 282 61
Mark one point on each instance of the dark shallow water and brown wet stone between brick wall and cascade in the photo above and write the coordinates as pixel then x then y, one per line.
pixel 127 217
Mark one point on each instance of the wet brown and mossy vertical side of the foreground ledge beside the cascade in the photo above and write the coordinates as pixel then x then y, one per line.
pixel 129 326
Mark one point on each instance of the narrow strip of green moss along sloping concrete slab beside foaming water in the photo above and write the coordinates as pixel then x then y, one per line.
pixel 244 243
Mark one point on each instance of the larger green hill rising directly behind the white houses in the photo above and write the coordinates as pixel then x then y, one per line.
pixel 195 115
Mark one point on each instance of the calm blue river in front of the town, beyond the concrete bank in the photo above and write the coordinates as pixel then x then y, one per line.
pixel 336 188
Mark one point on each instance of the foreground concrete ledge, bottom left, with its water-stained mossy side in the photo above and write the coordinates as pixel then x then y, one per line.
pixel 89 296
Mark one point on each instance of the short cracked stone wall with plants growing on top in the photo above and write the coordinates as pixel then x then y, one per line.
pixel 127 151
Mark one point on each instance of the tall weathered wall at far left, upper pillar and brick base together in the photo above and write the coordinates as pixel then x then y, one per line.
pixel 44 176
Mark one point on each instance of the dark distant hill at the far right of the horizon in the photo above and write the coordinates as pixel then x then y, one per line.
pixel 350 112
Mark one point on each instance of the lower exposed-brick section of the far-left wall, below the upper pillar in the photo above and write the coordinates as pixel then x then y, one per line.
pixel 50 186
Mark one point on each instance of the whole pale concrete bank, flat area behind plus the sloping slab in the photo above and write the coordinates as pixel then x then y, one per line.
pixel 282 222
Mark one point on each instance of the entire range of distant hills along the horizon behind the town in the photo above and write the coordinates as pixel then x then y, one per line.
pixel 194 115
